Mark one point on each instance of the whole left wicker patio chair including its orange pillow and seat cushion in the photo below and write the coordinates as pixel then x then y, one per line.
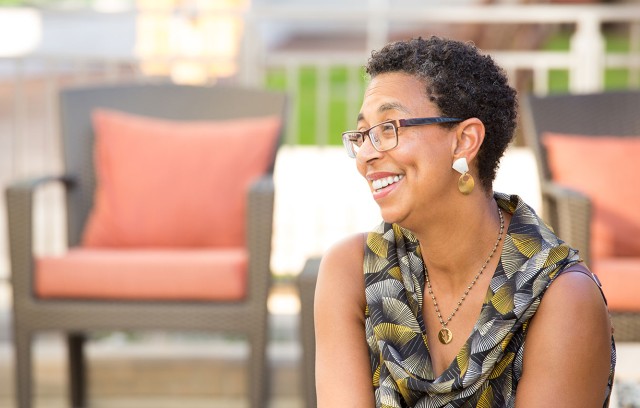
pixel 191 254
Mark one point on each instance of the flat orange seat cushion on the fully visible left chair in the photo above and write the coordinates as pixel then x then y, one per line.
pixel 171 274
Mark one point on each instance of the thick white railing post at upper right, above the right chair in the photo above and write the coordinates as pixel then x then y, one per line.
pixel 588 50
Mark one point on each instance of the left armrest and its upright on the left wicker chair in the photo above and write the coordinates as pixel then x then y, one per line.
pixel 19 197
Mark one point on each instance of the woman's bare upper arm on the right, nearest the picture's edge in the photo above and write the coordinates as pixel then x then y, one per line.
pixel 568 347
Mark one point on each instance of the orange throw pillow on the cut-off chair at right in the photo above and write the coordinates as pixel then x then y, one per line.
pixel 606 169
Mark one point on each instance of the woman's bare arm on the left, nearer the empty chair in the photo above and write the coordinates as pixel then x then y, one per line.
pixel 343 372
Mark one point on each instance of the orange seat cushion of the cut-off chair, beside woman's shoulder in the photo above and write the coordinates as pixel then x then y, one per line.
pixel 620 278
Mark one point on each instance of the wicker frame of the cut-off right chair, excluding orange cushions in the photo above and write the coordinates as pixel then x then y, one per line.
pixel 567 210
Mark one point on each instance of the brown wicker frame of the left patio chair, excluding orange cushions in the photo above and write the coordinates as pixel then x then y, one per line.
pixel 77 317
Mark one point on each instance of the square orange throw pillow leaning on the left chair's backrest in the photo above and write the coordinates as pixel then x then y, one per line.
pixel 164 183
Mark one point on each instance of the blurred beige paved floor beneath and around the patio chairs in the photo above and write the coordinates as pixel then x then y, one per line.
pixel 191 375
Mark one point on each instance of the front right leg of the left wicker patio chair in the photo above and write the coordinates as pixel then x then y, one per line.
pixel 259 383
